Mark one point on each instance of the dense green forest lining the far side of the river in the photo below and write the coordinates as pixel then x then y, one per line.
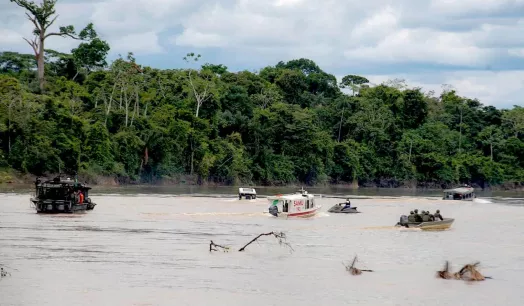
pixel 284 124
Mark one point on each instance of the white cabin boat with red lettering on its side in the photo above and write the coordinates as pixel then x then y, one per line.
pixel 299 204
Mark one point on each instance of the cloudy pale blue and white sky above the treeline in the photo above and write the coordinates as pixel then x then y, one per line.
pixel 477 46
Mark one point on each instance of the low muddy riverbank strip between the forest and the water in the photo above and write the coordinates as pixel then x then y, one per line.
pixel 9 177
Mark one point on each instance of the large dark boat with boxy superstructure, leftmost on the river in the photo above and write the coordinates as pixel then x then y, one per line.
pixel 61 195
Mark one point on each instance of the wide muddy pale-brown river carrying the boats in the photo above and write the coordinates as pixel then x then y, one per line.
pixel 151 247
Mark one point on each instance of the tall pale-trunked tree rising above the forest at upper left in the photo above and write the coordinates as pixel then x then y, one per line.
pixel 43 16
